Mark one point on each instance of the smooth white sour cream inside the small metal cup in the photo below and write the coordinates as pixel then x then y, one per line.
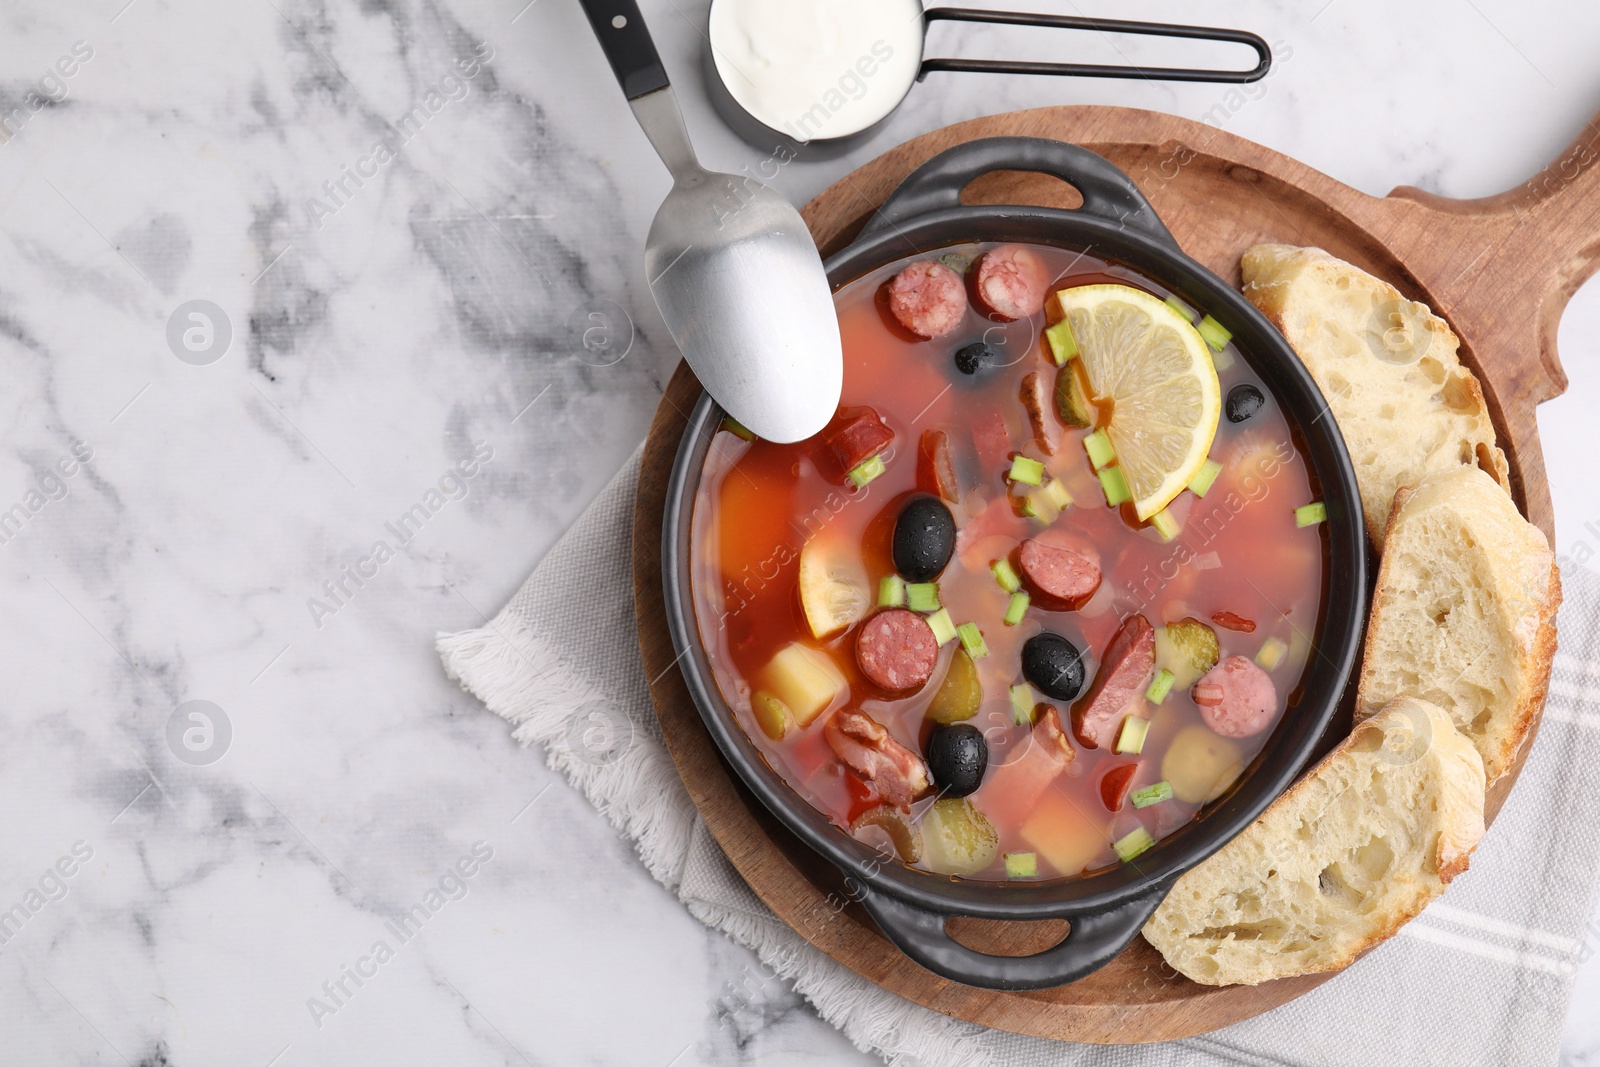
pixel 817 68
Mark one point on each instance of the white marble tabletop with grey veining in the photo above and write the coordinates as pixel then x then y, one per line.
pixel 391 313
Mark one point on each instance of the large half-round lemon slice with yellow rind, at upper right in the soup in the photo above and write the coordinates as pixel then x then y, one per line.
pixel 1156 372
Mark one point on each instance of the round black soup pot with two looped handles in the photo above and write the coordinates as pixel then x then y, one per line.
pixel 1105 911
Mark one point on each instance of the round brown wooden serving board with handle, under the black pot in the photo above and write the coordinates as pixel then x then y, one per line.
pixel 1500 270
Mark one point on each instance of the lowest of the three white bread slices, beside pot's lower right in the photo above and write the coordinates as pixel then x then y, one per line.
pixel 1338 863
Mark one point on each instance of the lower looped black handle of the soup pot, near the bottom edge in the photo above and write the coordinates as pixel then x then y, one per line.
pixel 1092 943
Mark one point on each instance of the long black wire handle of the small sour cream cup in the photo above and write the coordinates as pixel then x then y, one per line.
pixel 1103 26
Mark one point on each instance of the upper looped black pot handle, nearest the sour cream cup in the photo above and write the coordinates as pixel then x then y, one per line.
pixel 938 185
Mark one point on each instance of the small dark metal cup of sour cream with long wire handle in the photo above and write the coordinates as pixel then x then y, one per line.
pixel 817 81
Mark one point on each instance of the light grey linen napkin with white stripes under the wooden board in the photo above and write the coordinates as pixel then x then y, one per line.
pixel 1482 977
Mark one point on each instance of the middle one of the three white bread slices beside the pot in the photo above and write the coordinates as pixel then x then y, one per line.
pixel 1465 612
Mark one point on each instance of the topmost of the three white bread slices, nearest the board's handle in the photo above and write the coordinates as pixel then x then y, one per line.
pixel 1386 366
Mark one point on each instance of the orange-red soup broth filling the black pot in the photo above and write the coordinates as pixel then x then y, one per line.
pixel 1239 551
